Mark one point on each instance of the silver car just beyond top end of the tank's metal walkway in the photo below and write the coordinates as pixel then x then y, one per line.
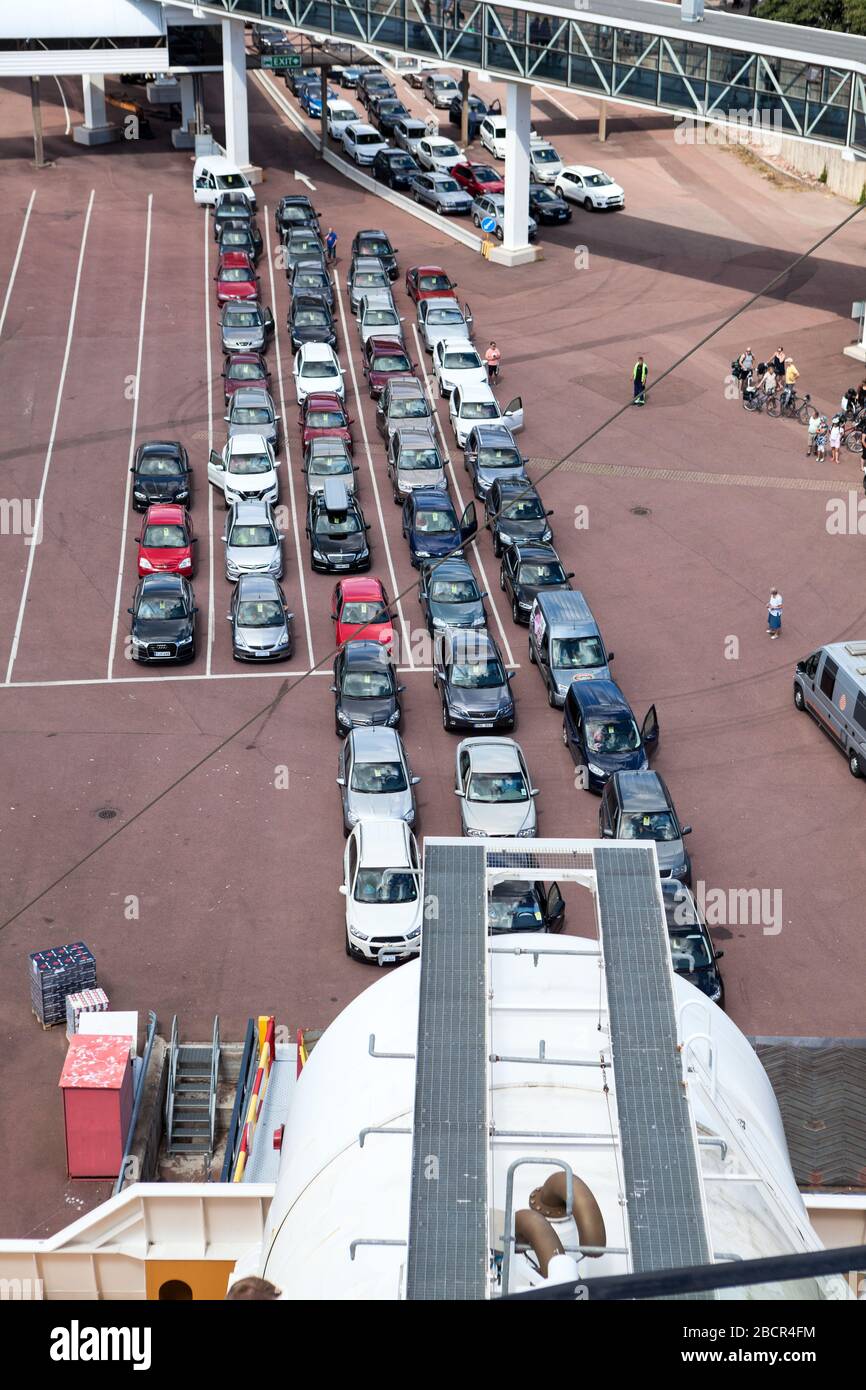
pixel 496 790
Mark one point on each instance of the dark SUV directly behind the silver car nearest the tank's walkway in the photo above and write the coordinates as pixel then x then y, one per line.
pixel 473 682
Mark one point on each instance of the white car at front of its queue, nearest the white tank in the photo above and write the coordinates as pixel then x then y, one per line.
pixel 383 890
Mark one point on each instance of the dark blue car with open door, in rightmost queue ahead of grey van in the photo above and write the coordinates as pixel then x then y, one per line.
pixel 601 733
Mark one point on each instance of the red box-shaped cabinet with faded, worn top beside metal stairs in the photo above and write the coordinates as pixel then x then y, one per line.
pixel 97 1084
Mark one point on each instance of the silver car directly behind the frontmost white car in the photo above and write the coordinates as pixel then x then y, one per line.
pixel 375 779
